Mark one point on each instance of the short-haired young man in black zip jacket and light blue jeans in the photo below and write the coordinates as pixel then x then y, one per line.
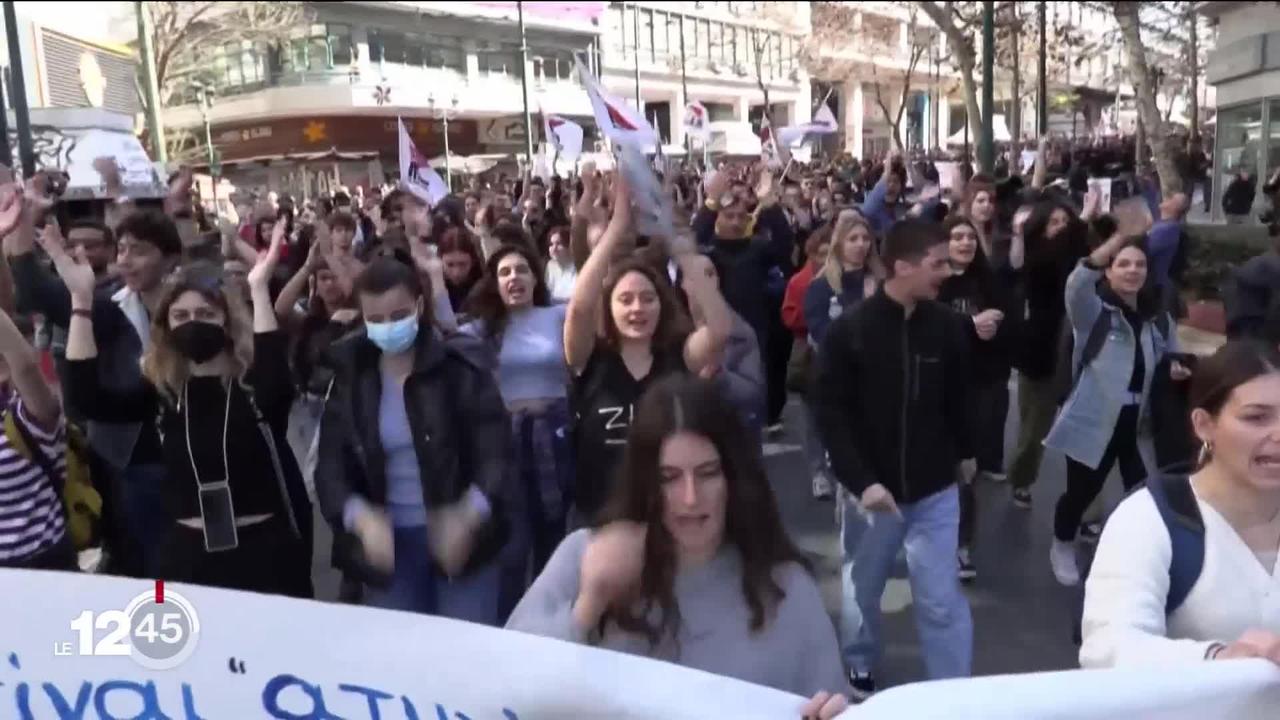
pixel 890 398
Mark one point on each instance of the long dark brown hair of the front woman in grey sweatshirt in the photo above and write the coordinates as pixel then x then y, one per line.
pixel 753 526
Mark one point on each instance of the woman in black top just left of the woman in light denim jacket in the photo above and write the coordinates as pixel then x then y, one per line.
pixel 1055 239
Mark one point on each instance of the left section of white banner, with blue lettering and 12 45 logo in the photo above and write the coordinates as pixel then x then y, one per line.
pixel 262 657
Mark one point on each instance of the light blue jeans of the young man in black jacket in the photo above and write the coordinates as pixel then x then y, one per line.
pixel 929 531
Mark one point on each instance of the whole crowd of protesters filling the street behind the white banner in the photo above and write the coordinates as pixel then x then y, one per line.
pixel 514 409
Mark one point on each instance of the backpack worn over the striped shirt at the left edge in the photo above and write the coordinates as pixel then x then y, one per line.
pixel 83 505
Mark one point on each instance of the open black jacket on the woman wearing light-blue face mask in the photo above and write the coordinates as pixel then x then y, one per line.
pixel 460 431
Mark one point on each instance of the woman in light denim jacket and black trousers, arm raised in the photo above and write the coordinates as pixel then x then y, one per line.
pixel 1121 335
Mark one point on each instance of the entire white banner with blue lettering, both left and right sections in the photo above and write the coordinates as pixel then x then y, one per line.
pixel 93 648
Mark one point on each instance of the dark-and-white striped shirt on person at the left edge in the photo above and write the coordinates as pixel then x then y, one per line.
pixel 31 512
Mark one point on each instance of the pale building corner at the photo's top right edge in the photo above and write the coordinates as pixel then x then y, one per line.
pixel 1246 71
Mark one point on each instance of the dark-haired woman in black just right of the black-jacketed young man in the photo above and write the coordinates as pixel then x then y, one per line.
pixel 984 295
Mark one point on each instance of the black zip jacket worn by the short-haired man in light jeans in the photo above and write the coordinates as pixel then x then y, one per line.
pixel 892 398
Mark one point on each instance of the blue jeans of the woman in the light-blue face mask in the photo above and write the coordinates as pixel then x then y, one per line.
pixel 418 587
